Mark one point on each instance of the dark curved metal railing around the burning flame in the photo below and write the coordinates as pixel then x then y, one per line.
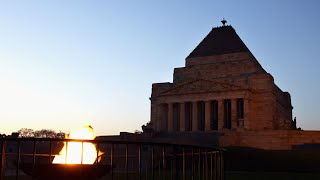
pixel 31 158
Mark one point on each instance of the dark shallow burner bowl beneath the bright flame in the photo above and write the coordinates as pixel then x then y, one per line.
pixel 65 171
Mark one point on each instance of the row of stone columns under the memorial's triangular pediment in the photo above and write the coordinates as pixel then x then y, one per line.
pixel 202 115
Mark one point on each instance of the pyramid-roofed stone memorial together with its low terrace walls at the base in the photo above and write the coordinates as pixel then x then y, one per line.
pixel 222 97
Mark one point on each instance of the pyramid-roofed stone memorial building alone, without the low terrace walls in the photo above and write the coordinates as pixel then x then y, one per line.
pixel 221 88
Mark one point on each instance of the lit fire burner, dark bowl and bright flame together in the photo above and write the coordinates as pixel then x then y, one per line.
pixel 75 160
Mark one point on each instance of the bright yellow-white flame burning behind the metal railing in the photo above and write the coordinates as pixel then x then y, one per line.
pixel 71 152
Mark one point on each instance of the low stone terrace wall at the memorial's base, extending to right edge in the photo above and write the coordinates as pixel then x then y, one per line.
pixel 269 140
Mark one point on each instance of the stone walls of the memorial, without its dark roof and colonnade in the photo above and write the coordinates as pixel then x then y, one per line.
pixel 227 76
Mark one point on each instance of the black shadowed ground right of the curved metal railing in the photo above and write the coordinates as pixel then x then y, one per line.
pixel 252 164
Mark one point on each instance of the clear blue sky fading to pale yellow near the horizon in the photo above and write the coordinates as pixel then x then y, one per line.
pixel 64 63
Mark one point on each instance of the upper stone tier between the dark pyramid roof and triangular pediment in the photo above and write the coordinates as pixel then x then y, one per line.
pixel 213 67
